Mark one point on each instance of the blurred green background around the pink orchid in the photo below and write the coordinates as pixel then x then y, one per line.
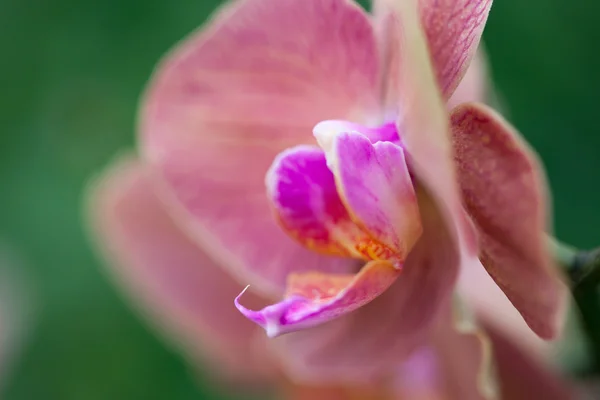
pixel 72 72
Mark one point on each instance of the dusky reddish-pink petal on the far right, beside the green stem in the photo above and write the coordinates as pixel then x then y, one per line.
pixel 504 192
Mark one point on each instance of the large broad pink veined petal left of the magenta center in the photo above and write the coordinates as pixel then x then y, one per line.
pixel 253 82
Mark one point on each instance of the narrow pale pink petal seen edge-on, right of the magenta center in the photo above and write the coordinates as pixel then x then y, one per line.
pixel 412 94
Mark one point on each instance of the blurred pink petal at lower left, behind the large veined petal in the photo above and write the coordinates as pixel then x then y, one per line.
pixel 173 282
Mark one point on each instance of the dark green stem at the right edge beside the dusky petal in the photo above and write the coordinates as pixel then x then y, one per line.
pixel 583 270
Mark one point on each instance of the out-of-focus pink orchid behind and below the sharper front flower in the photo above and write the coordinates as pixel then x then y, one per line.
pixel 185 294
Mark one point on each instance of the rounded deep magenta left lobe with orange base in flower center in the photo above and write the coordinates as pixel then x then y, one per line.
pixel 306 202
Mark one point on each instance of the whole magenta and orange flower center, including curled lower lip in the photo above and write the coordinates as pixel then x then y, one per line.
pixel 350 196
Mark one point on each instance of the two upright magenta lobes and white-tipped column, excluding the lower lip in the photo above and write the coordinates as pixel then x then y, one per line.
pixel 350 196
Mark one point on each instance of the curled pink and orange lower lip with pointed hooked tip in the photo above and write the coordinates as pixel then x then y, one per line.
pixel 315 298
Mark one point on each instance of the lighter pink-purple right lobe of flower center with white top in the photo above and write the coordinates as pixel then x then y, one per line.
pixel 374 183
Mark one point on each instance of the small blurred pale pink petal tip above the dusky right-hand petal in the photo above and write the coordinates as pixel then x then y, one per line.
pixel 475 85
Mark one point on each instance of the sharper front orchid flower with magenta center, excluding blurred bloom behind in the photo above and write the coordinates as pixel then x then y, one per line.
pixel 235 105
